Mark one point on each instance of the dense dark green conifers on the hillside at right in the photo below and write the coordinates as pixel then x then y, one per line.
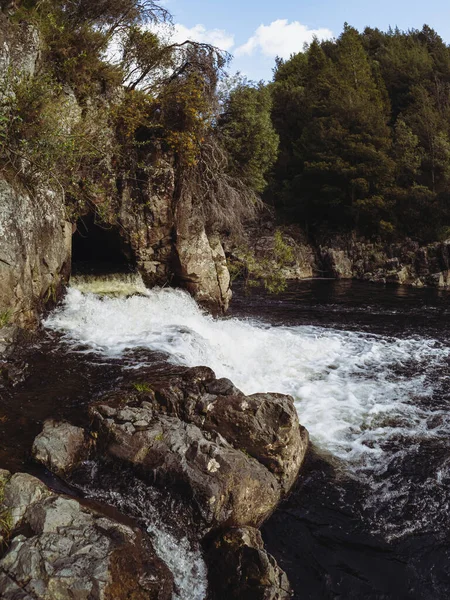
pixel 364 128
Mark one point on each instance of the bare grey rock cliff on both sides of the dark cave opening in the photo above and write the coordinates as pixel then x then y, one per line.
pixel 161 235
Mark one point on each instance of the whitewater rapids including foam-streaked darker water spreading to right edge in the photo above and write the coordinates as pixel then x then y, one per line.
pixel 371 402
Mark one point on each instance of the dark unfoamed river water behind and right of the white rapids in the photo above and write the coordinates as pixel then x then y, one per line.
pixel 333 536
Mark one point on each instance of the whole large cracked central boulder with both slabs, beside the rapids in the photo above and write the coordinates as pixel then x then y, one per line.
pixel 234 456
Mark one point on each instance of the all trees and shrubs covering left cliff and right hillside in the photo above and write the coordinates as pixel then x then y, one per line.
pixel 352 134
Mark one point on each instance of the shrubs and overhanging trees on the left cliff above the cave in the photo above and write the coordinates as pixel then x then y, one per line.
pixel 155 96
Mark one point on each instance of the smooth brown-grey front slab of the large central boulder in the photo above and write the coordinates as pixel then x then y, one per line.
pixel 227 486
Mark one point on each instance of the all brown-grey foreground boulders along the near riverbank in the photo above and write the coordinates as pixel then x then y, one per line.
pixel 230 457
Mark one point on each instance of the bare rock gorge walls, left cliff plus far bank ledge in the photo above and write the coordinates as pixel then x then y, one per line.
pixel 159 230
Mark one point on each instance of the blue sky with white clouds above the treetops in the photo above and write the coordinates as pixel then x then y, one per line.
pixel 256 31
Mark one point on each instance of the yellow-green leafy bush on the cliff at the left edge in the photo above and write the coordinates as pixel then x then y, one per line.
pixel 39 146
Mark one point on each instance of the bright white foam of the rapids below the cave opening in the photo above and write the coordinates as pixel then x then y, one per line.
pixel 365 398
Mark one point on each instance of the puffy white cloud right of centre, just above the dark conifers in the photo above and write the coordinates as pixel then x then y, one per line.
pixel 281 38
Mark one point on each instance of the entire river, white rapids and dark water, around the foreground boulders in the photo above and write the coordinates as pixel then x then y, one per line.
pixel 368 367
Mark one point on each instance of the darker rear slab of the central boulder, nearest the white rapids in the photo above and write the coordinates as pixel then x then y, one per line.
pixel 263 426
